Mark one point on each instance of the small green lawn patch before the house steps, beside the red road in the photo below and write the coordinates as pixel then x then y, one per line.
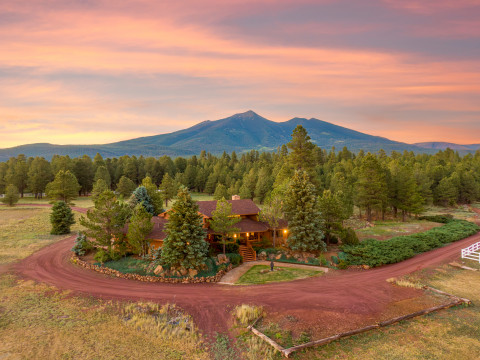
pixel 254 275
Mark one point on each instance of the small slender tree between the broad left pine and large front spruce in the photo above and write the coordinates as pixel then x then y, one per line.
pixel 139 227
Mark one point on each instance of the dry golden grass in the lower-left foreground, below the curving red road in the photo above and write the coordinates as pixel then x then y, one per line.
pixel 37 322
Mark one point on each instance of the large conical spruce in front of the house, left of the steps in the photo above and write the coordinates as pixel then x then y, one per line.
pixel 185 243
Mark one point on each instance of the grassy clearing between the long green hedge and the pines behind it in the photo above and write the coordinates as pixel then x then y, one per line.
pixel 387 229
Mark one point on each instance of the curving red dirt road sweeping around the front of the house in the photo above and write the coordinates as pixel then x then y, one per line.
pixel 340 295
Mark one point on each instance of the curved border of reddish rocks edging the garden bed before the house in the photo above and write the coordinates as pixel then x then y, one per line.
pixel 148 278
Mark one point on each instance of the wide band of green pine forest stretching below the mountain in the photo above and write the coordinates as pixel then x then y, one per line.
pixel 399 184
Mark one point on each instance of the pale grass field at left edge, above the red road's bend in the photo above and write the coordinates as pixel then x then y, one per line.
pixel 24 230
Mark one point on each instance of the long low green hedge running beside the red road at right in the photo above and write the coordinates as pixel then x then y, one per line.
pixel 373 252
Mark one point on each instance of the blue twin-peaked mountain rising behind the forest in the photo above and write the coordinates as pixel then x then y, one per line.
pixel 240 132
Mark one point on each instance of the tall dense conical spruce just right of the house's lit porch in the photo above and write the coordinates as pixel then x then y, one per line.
pixel 303 214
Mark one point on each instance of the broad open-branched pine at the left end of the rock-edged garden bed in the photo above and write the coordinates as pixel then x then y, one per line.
pixel 105 223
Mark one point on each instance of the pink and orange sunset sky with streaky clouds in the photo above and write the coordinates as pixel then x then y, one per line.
pixel 99 71
